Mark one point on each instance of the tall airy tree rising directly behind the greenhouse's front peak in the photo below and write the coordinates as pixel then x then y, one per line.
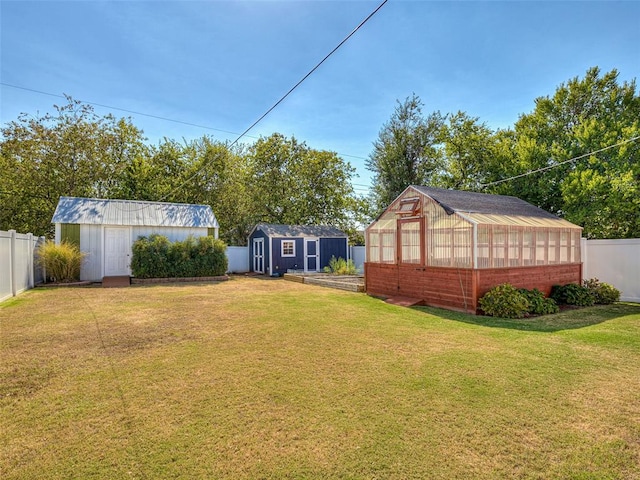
pixel 406 151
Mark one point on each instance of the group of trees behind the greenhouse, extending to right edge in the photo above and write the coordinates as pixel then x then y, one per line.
pixel 600 192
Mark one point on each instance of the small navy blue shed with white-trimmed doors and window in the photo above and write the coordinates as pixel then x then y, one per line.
pixel 277 248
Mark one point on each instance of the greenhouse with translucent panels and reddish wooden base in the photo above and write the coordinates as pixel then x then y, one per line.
pixel 447 248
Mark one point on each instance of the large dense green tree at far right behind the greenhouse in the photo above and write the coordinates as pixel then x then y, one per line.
pixel 600 192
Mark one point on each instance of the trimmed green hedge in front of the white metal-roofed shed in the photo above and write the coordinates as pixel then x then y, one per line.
pixel 156 257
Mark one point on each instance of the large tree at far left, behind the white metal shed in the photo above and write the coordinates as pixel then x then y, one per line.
pixel 73 152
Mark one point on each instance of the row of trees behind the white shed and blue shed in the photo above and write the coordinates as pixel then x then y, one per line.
pixel 75 152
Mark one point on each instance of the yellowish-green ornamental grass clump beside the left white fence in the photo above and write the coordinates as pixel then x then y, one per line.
pixel 61 262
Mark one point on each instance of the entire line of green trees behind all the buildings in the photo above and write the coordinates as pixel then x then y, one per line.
pixel 277 179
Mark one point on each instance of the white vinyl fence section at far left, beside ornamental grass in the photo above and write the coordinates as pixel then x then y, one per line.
pixel 18 268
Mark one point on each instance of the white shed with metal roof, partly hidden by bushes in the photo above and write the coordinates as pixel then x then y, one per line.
pixel 106 229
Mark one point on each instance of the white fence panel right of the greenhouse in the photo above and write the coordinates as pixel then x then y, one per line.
pixel 616 262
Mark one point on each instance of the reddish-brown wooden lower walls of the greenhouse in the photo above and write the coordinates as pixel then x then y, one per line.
pixel 460 288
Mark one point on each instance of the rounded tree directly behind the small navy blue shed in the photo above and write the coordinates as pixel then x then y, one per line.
pixel 291 183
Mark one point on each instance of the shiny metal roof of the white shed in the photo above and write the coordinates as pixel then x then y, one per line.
pixel 97 211
